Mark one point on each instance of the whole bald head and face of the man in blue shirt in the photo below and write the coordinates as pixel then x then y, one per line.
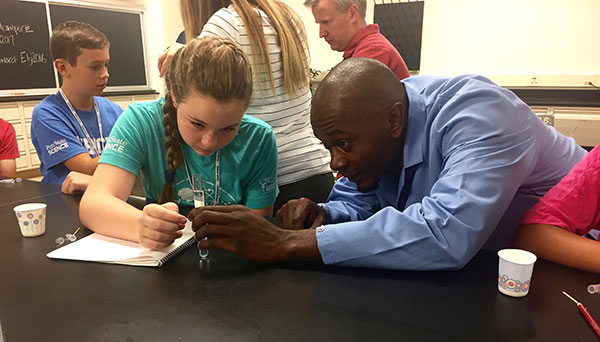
pixel 359 113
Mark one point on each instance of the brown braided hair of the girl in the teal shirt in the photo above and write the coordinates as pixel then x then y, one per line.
pixel 209 66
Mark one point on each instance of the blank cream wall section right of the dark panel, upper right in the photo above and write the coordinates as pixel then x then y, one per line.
pixel 523 43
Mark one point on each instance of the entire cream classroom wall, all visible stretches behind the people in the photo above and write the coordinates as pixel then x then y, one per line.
pixel 515 42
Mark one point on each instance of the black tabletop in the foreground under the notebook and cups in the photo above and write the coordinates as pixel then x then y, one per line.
pixel 231 299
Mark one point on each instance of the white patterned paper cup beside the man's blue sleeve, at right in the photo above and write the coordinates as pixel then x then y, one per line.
pixel 514 271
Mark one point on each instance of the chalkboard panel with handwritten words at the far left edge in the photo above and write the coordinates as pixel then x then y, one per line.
pixel 25 60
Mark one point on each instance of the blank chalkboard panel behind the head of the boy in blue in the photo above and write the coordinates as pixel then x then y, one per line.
pixel 123 30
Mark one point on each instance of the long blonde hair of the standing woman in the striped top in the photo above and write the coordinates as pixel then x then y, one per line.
pixel 289 26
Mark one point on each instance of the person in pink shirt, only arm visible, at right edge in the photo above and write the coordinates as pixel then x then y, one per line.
pixel 554 228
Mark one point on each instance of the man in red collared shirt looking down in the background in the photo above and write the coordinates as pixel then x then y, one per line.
pixel 342 24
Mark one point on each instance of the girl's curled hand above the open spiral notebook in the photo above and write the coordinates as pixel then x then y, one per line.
pixel 160 225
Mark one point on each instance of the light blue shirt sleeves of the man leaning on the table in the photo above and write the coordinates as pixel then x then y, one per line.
pixel 485 155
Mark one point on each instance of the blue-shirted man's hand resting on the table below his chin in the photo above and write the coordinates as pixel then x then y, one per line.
pixel 299 214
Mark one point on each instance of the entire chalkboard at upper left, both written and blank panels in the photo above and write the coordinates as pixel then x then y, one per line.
pixel 25 60
